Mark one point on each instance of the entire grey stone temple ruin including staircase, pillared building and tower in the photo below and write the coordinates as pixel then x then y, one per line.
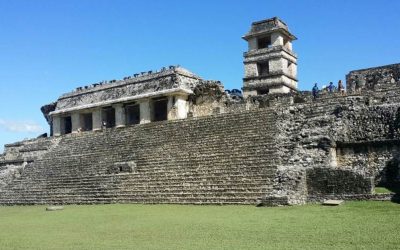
pixel 172 137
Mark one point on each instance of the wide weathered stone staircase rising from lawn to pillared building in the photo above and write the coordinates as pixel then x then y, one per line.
pixel 222 159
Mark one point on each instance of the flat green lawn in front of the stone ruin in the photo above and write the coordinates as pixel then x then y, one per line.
pixel 361 225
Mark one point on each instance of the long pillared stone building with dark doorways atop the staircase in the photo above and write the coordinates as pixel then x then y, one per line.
pixel 142 98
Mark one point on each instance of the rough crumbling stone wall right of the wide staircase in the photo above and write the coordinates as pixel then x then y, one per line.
pixel 335 146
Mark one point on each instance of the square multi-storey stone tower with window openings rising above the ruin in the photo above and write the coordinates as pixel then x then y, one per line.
pixel 270 64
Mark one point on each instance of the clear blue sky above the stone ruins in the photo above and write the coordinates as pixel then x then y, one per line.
pixel 50 47
